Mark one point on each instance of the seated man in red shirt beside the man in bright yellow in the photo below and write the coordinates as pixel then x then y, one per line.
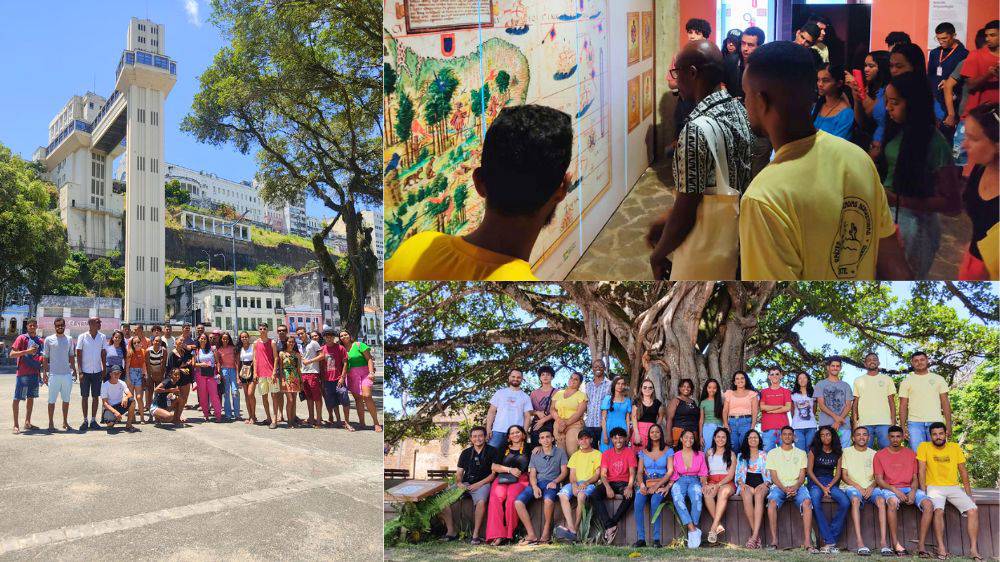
pixel 896 476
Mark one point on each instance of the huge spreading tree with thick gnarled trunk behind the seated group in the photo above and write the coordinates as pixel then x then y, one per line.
pixel 450 345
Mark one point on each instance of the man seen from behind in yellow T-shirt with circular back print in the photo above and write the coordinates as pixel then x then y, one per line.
pixel 818 210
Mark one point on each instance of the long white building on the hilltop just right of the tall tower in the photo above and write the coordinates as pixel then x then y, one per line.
pixel 210 191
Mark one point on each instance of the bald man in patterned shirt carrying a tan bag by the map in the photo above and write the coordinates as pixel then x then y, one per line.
pixel 699 239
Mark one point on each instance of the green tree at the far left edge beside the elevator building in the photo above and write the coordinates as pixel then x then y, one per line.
pixel 32 238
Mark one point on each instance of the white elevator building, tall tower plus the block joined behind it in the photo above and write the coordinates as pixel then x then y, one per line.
pixel 84 139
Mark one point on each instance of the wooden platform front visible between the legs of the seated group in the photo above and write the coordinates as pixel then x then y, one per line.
pixel 790 525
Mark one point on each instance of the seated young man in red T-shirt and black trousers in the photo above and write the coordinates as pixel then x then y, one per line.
pixel 618 468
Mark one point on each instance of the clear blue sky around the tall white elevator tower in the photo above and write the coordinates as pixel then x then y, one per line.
pixel 55 49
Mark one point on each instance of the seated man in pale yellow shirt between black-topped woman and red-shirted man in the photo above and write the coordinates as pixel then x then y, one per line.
pixel 858 482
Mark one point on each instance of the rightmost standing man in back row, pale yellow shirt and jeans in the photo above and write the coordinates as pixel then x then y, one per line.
pixel 923 400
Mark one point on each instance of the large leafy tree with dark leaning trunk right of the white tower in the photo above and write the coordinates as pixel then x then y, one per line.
pixel 301 82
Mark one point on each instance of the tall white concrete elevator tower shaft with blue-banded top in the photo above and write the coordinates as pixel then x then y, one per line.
pixel 144 78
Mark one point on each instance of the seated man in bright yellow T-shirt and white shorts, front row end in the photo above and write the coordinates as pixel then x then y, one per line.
pixel 940 464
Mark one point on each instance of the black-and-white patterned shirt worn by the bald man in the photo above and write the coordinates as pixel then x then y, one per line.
pixel 694 167
